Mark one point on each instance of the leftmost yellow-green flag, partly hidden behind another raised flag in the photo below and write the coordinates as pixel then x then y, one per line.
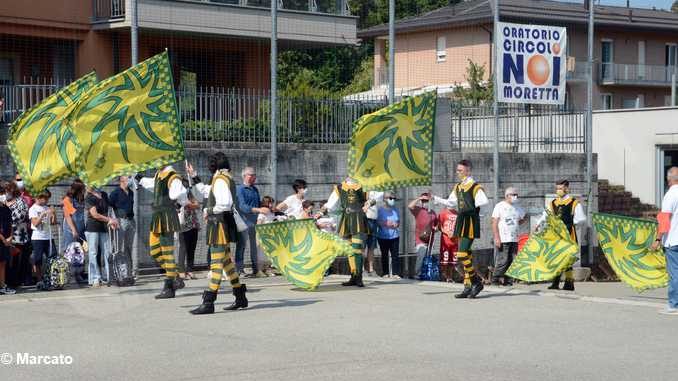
pixel 43 146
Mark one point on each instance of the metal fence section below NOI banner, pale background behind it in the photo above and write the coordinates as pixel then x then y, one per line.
pixel 521 129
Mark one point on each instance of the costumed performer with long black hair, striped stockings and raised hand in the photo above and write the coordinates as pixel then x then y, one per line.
pixel 221 231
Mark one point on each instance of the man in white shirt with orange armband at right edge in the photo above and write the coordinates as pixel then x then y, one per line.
pixel 667 233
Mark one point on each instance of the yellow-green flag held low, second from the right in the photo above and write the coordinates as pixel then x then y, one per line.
pixel 546 253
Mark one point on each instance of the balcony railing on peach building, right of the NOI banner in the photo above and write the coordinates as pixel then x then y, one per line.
pixel 634 74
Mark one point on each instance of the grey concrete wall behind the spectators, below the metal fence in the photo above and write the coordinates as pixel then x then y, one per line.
pixel 324 166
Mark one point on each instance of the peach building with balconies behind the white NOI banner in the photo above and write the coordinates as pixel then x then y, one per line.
pixel 634 52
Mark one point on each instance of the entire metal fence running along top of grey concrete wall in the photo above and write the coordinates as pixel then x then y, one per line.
pixel 238 115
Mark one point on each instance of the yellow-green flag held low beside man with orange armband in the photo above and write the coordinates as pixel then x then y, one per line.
pixel 626 243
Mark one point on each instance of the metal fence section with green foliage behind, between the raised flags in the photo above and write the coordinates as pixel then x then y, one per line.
pixel 237 115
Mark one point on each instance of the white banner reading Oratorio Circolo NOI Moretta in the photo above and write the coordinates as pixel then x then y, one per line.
pixel 531 63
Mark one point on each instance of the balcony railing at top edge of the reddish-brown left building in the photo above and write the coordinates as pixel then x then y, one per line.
pixel 115 9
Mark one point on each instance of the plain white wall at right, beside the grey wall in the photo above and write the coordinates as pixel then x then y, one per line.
pixel 626 143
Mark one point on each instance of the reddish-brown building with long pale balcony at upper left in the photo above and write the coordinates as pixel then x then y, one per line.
pixel 223 42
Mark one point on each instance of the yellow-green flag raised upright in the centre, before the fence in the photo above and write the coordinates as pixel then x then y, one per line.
pixel 393 147
